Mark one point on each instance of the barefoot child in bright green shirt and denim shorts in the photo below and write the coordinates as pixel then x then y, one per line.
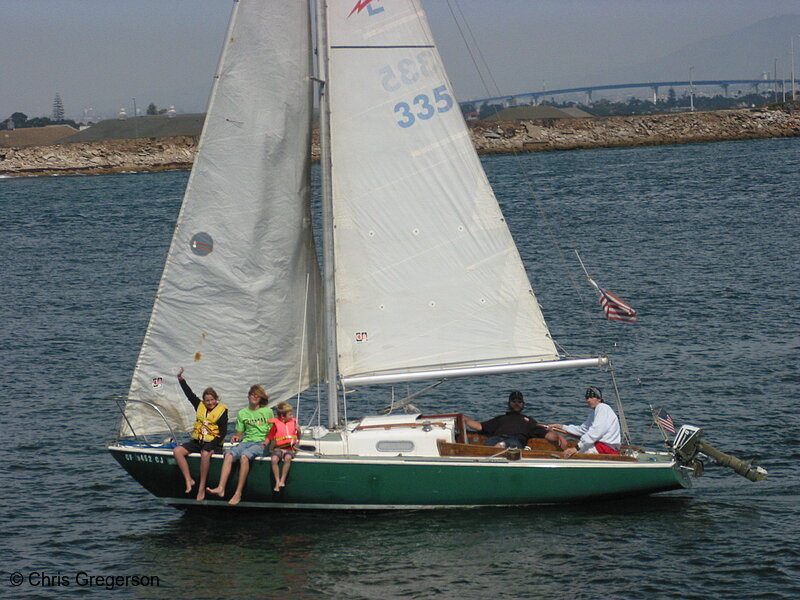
pixel 252 427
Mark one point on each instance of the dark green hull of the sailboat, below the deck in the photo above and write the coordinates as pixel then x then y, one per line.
pixel 408 483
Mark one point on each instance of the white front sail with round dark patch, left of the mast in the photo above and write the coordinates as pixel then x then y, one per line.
pixel 238 302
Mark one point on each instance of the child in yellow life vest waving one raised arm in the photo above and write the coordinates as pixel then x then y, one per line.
pixel 209 432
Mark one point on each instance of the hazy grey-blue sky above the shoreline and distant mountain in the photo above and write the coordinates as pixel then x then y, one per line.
pixel 101 54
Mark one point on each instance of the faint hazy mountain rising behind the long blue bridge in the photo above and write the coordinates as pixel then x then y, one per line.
pixel 742 54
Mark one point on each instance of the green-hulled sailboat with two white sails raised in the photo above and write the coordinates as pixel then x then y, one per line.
pixel 420 277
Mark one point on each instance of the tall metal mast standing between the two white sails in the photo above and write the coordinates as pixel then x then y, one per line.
pixel 331 367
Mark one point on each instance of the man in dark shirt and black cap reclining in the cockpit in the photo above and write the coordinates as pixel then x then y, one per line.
pixel 513 429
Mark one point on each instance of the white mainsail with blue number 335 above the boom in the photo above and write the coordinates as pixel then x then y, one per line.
pixel 427 274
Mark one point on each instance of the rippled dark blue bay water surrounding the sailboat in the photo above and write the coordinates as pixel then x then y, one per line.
pixel 702 240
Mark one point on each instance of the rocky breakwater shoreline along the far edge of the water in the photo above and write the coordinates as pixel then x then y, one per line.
pixel 499 137
